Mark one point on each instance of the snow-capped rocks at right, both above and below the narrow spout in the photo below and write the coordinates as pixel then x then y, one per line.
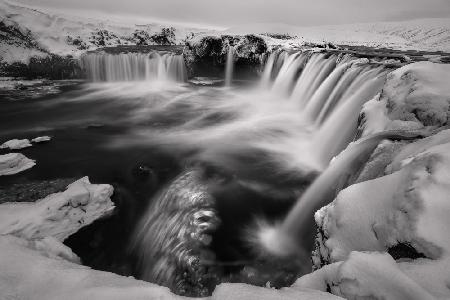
pixel 385 236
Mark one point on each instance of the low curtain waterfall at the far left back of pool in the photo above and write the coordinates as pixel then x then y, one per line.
pixel 134 66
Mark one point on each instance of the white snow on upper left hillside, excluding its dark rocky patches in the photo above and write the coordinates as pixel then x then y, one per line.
pixel 51 29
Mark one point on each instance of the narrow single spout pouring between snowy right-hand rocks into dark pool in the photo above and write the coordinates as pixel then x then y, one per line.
pixel 285 239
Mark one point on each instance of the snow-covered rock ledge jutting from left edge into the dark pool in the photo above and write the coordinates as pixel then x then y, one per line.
pixel 58 215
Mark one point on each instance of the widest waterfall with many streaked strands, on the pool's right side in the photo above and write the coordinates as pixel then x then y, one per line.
pixel 328 91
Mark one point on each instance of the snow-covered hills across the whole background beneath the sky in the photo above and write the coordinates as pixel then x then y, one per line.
pixel 36 31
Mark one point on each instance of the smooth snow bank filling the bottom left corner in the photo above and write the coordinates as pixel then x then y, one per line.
pixel 28 274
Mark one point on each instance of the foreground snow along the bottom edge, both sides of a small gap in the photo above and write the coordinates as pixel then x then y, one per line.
pixel 30 271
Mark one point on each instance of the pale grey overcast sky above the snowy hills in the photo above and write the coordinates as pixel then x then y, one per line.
pixel 228 13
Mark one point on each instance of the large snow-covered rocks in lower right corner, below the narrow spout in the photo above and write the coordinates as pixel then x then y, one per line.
pixel 408 206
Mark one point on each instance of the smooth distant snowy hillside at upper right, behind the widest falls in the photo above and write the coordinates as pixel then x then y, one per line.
pixel 424 34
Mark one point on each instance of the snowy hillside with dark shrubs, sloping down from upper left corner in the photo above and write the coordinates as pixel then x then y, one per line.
pixel 29 31
